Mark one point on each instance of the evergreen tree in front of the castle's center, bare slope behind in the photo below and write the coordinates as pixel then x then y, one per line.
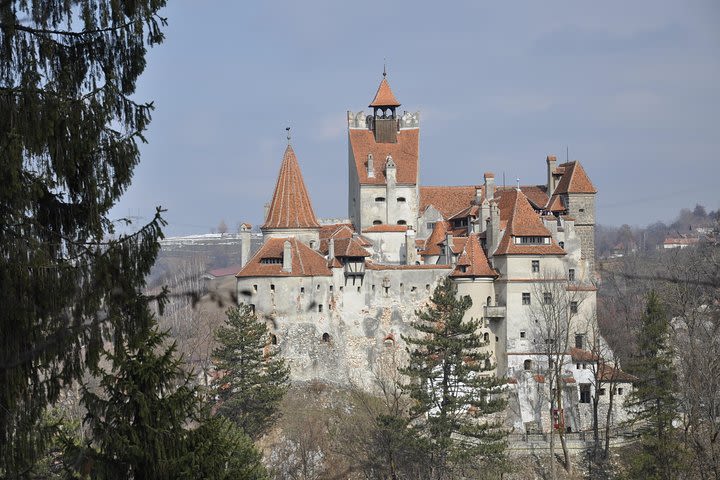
pixel 452 394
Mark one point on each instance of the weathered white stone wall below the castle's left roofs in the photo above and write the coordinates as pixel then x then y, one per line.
pixel 357 318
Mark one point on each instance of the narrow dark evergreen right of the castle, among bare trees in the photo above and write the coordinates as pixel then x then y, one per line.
pixel 653 399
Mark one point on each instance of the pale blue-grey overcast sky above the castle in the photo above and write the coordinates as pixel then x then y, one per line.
pixel 631 88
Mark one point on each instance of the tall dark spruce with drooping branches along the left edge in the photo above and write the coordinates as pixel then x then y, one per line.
pixel 69 131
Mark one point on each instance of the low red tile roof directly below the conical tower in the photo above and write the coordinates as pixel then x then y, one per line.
pixel 306 262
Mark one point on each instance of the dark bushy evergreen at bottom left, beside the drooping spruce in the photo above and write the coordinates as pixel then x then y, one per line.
pixel 141 423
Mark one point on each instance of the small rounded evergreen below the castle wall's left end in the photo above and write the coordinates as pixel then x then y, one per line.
pixel 252 377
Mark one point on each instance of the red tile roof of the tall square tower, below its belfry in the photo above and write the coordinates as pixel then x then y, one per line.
pixel 404 154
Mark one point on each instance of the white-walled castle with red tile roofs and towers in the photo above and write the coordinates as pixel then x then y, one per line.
pixel 338 296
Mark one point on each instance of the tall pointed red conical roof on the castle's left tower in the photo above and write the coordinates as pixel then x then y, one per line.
pixel 290 207
